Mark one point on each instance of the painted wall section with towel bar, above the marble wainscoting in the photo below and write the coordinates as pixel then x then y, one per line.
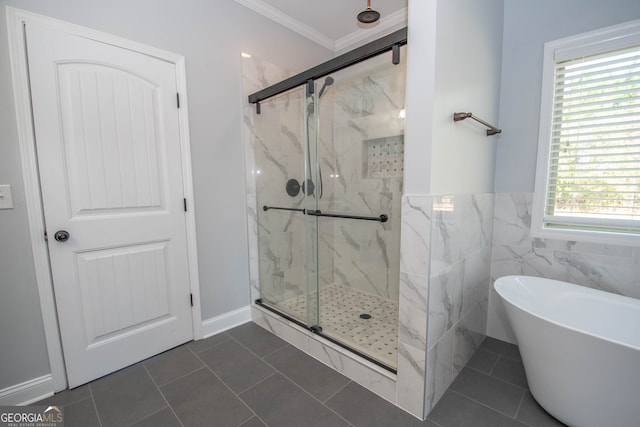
pixel 453 66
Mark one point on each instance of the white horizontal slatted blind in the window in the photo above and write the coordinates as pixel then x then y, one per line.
pixel 593 174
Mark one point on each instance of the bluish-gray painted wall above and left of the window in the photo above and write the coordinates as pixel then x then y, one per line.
pixel 527 26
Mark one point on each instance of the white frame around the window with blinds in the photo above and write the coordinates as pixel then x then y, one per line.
pixel 592 43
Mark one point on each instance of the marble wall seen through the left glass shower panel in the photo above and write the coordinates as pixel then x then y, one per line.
pixel 279 136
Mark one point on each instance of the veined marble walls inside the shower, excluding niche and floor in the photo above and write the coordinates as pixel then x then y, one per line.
pixel 362 254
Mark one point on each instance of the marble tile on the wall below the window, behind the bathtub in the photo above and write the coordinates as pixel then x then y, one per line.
pixel 612 268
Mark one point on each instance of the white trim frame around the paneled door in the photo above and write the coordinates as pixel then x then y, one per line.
pixel 16 19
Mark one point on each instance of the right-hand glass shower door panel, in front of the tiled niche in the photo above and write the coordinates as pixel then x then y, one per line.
pixel 357 149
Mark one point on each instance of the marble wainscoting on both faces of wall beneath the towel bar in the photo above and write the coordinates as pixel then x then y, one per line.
pixel 444 288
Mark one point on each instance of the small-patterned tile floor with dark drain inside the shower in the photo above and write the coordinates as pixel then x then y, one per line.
pixel 366 322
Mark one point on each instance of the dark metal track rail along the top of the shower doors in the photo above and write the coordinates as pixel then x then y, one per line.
pixel 390 42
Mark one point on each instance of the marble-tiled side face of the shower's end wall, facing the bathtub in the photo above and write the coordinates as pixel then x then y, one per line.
pixel 461 238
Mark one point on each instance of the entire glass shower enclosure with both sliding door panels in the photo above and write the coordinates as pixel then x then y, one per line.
pixel 328 174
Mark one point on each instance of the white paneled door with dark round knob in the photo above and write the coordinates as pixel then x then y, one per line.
pixel 108 145
